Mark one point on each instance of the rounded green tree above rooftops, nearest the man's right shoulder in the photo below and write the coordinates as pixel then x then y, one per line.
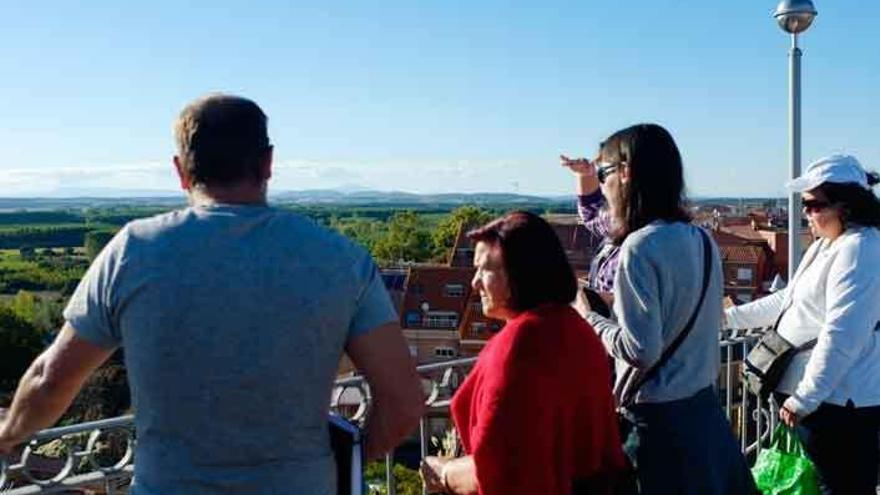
pixel 407 239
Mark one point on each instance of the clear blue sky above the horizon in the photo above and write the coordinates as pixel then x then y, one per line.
pixel 429 96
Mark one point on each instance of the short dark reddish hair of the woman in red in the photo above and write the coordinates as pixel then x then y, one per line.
pixel 538 271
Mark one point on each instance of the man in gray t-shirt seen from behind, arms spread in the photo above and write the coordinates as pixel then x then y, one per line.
pixel 233 316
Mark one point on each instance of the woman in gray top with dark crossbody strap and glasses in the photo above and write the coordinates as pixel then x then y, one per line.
pixel 680 441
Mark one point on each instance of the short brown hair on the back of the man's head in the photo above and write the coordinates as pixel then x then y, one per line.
pixel 221 140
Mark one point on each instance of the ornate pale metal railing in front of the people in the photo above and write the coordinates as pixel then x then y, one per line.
pixel 83 462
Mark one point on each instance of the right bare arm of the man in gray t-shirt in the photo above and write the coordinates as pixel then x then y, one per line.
pixel 398 402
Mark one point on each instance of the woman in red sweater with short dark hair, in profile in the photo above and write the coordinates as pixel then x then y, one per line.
pixel 536 414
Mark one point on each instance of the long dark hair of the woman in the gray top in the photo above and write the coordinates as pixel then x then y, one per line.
pixel 655 190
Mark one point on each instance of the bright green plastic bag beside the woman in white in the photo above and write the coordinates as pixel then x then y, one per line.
pixel 783 468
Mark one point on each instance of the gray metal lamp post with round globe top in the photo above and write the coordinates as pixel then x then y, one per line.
pixel 794 17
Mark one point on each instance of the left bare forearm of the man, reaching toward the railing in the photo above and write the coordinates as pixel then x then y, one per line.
pixel 49 386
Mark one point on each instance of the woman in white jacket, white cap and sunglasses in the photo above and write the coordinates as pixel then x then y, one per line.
pixel 830 393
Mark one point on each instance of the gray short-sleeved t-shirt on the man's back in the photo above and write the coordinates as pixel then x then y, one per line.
pixel 233 320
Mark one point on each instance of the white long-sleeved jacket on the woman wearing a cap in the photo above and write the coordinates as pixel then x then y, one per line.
pixel 835 297
